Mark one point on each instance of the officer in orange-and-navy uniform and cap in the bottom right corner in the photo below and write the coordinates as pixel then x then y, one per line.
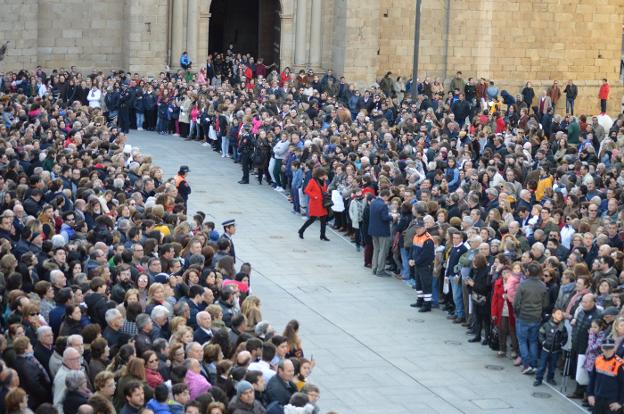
pixel 605 392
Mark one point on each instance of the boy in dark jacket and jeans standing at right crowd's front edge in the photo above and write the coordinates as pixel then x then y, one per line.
pixel 552 336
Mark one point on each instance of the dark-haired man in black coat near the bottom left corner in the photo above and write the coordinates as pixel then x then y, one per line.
pixel 34 379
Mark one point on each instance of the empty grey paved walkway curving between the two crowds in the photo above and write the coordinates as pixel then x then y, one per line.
pixel 374 353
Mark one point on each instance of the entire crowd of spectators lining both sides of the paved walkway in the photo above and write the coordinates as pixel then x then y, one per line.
pixel 490 204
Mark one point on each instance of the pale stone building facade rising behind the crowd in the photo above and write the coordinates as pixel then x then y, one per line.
pixel 508 41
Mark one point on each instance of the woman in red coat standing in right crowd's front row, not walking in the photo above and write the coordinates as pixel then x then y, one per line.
pixel 503 316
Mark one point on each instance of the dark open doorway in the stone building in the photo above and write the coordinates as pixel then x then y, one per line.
pixel 250 26
